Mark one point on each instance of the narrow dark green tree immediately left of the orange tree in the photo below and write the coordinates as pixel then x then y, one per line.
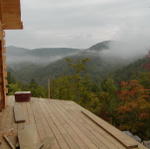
pixel 108 100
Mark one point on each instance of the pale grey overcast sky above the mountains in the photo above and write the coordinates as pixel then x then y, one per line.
pixel 80 23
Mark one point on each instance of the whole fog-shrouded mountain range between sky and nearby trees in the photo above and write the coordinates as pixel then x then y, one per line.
pixel 25 64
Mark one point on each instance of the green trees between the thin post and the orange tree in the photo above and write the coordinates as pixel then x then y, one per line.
pixel 79 87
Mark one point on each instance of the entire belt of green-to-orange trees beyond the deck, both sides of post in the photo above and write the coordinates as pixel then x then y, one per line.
pixel 122 97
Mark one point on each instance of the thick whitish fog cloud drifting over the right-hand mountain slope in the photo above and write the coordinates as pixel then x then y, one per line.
pixel 131 42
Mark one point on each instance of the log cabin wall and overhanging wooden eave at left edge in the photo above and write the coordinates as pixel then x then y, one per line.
pixel 10 18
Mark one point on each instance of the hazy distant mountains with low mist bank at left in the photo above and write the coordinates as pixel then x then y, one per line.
pixel 37 56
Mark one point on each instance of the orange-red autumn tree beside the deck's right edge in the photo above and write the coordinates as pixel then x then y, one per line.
pixel 134 108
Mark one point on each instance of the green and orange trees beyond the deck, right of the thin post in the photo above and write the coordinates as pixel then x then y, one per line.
pixel 127 106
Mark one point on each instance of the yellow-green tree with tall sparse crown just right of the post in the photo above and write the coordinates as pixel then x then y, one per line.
pixel 76 86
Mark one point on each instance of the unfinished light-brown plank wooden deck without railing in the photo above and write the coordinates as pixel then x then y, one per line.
pixel 68 126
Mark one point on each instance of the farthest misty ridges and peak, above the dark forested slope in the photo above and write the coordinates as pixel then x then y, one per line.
pixel 106 50
